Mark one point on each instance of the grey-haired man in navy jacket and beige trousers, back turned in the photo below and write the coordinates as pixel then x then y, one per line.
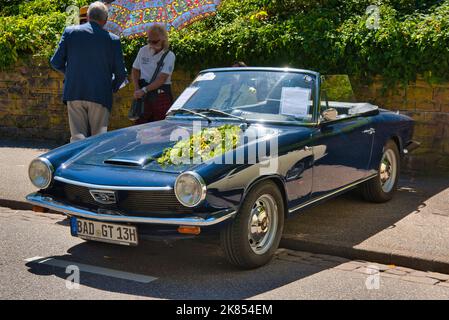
pixel 92 60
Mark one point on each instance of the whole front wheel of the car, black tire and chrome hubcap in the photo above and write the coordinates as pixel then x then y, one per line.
pixel 251 239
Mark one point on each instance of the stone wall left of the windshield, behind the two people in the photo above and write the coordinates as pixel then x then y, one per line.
pixel 31 102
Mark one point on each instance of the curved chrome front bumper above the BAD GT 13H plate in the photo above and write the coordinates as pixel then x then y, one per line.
pixel 60 206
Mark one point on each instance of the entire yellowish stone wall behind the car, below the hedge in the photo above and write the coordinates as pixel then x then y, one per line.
pixel 31 107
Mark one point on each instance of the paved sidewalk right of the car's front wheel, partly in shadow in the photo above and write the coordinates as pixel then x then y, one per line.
pixel 410 230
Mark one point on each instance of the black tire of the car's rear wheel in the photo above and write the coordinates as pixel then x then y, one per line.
pixel 373 190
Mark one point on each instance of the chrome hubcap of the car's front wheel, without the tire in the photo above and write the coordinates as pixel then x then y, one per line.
pixel 262 224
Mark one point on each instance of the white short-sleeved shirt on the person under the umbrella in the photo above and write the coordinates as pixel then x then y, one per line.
pixel 146 61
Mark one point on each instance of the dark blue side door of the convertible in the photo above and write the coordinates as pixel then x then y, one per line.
pixel 342 152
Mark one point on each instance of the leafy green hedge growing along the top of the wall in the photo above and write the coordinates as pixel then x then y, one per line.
pixel 329 36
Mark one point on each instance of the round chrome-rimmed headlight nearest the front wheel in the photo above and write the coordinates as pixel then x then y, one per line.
pixel 190 189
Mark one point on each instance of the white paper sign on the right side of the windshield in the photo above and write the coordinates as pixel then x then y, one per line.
pixel 295 101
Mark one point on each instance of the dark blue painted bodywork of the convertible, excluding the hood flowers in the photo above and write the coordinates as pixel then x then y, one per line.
pixel 314 160
